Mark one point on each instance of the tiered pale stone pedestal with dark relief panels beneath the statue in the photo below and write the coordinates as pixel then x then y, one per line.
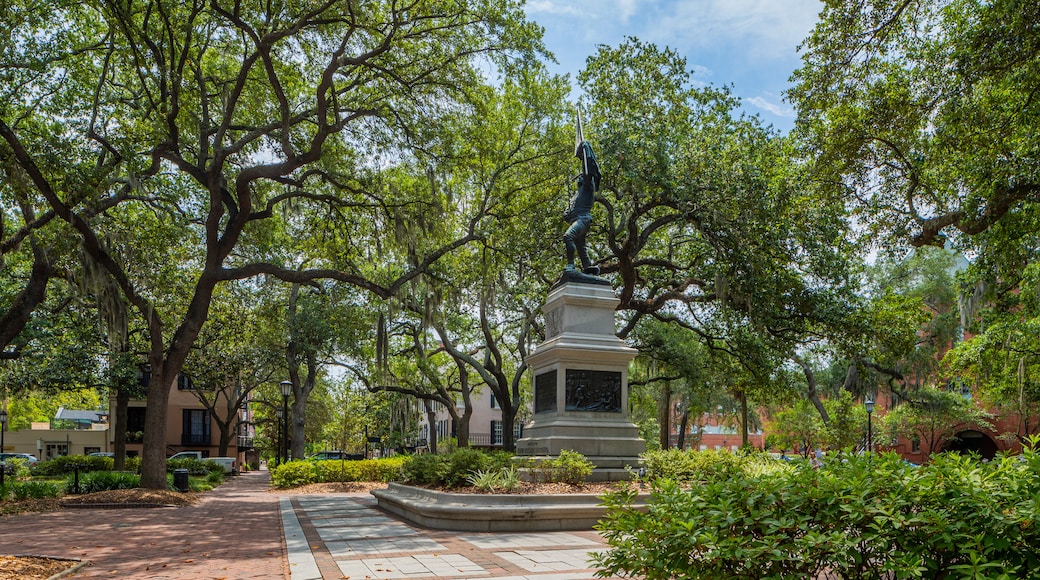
pixel 582 384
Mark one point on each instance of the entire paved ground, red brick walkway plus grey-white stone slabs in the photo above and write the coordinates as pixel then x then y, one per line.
pixel 242 531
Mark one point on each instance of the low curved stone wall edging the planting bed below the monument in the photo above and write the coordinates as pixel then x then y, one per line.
pixel 482 513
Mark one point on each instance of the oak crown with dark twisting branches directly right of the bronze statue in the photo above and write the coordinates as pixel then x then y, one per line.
pixel 709 223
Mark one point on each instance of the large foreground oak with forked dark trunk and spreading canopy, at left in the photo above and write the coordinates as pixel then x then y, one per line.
pixel 221 115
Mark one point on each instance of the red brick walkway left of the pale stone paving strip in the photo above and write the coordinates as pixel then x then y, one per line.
pixel 235 533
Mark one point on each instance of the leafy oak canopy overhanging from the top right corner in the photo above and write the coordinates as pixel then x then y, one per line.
pixel 924 114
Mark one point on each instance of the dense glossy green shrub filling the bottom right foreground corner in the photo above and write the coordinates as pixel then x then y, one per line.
pixel 862 517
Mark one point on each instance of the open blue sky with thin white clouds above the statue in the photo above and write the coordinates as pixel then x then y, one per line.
pixel 750 45
